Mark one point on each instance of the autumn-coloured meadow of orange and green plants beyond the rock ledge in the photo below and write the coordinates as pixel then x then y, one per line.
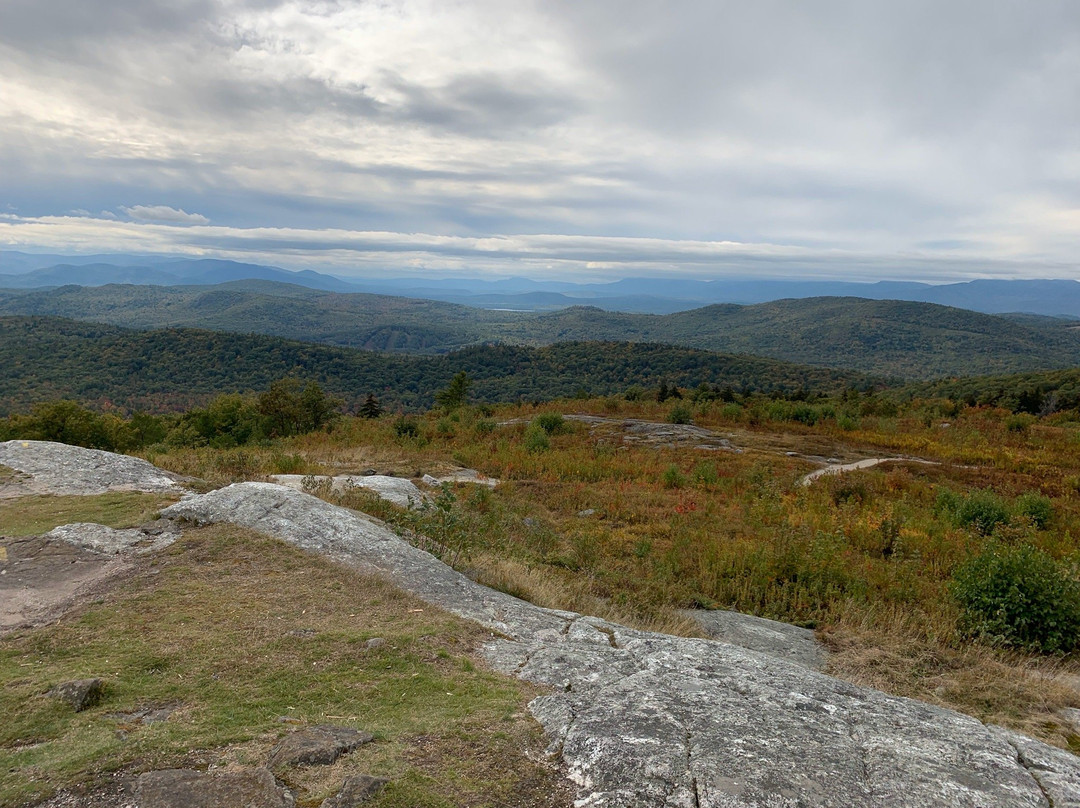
pixel 588 519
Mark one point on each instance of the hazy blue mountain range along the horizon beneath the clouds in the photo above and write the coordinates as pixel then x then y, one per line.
pixel 644 295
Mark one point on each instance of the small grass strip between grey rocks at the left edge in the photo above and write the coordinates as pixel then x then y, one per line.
pixel 31 516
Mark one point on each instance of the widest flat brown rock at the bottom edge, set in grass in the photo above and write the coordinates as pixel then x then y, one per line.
pixel 186 789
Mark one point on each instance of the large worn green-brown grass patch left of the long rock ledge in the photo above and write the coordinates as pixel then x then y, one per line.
pixel 239 630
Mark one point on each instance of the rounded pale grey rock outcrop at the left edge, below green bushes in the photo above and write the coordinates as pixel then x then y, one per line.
pixel 57 468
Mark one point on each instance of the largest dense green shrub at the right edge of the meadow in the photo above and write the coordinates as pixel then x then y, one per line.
pixel 1019 597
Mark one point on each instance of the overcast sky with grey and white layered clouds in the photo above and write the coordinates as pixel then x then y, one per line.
pixel 579 140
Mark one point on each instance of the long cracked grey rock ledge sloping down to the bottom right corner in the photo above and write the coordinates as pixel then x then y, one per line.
pixel 650 720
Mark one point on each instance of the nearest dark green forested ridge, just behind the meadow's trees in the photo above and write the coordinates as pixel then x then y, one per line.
pixel 46 359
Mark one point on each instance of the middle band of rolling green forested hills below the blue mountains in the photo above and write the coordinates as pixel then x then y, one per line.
pixel 889 339
